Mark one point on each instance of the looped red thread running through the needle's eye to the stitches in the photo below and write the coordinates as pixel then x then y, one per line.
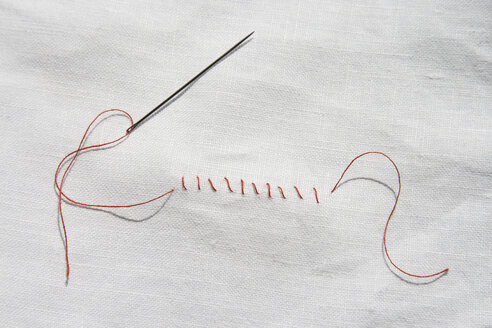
pixel 76 153
